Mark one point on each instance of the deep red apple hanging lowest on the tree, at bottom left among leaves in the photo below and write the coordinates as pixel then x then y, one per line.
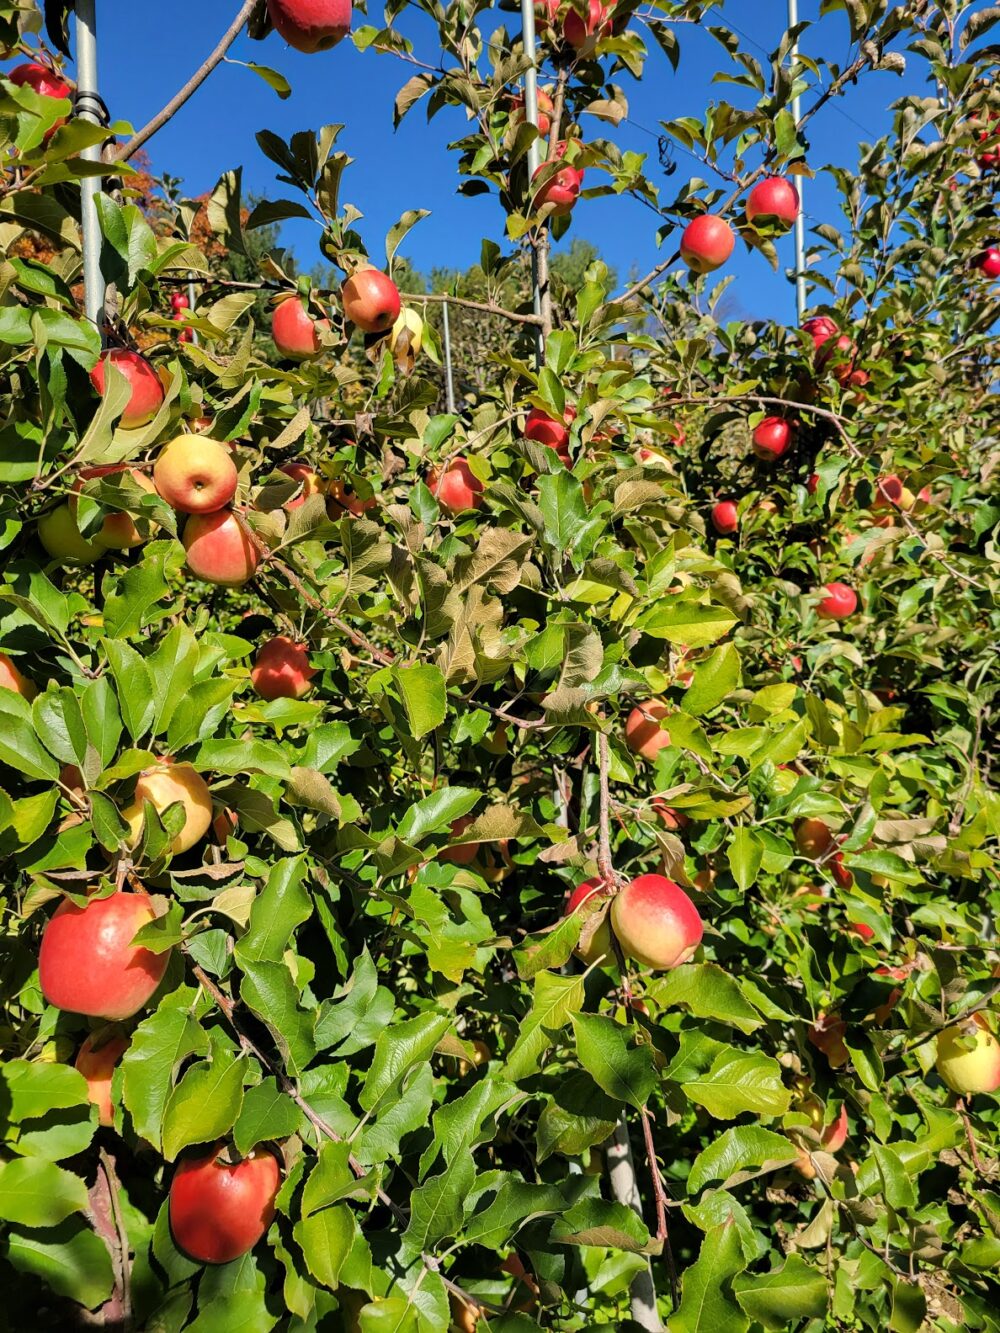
pixel 219 1211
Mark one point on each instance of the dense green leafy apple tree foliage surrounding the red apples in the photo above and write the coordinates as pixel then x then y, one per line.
pixel 370 972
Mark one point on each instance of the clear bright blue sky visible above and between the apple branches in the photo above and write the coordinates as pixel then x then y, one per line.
pixel 145 58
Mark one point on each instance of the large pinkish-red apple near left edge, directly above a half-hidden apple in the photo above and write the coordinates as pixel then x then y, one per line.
pixel 89 964
